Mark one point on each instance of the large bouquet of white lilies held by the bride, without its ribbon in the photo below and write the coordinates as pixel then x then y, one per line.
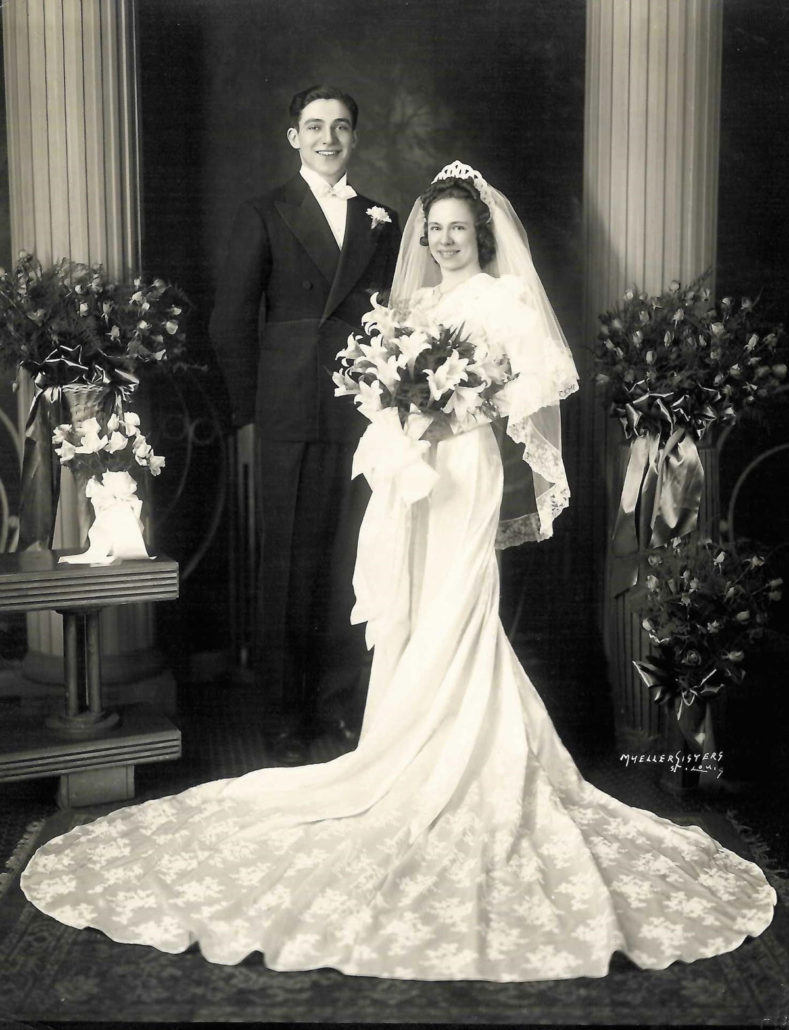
pixel 436 372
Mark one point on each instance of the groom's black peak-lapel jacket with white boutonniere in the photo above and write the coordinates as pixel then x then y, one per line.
pixel 287 300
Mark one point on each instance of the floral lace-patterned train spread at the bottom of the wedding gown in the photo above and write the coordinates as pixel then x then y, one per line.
pixel 544 884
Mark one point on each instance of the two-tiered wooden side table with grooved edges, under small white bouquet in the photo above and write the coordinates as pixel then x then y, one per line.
pixel 94 751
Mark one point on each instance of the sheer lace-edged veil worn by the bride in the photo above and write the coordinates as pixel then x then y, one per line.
pixel 535 483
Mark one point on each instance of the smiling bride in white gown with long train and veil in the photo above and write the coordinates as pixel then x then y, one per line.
pixel 459 841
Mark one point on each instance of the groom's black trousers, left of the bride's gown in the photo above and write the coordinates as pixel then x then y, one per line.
pixel 312 664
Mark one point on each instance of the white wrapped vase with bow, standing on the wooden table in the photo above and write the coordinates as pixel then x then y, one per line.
pixel 117 531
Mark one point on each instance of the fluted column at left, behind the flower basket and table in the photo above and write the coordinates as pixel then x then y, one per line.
pixel 74 153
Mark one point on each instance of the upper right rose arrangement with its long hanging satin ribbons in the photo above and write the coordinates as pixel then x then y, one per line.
pixel 673 366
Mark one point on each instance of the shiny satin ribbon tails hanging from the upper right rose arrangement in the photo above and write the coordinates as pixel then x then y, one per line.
pixel 661 498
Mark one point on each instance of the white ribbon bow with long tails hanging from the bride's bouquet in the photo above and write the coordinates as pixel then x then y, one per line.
pixel 393 460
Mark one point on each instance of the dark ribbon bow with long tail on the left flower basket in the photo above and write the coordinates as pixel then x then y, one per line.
pixel 65 391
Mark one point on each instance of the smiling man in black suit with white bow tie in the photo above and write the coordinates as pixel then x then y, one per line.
pixel 302 263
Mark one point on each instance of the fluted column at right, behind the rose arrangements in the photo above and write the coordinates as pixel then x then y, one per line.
pixel 650 214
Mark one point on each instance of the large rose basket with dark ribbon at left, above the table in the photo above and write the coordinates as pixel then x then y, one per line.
pixel 84 339
